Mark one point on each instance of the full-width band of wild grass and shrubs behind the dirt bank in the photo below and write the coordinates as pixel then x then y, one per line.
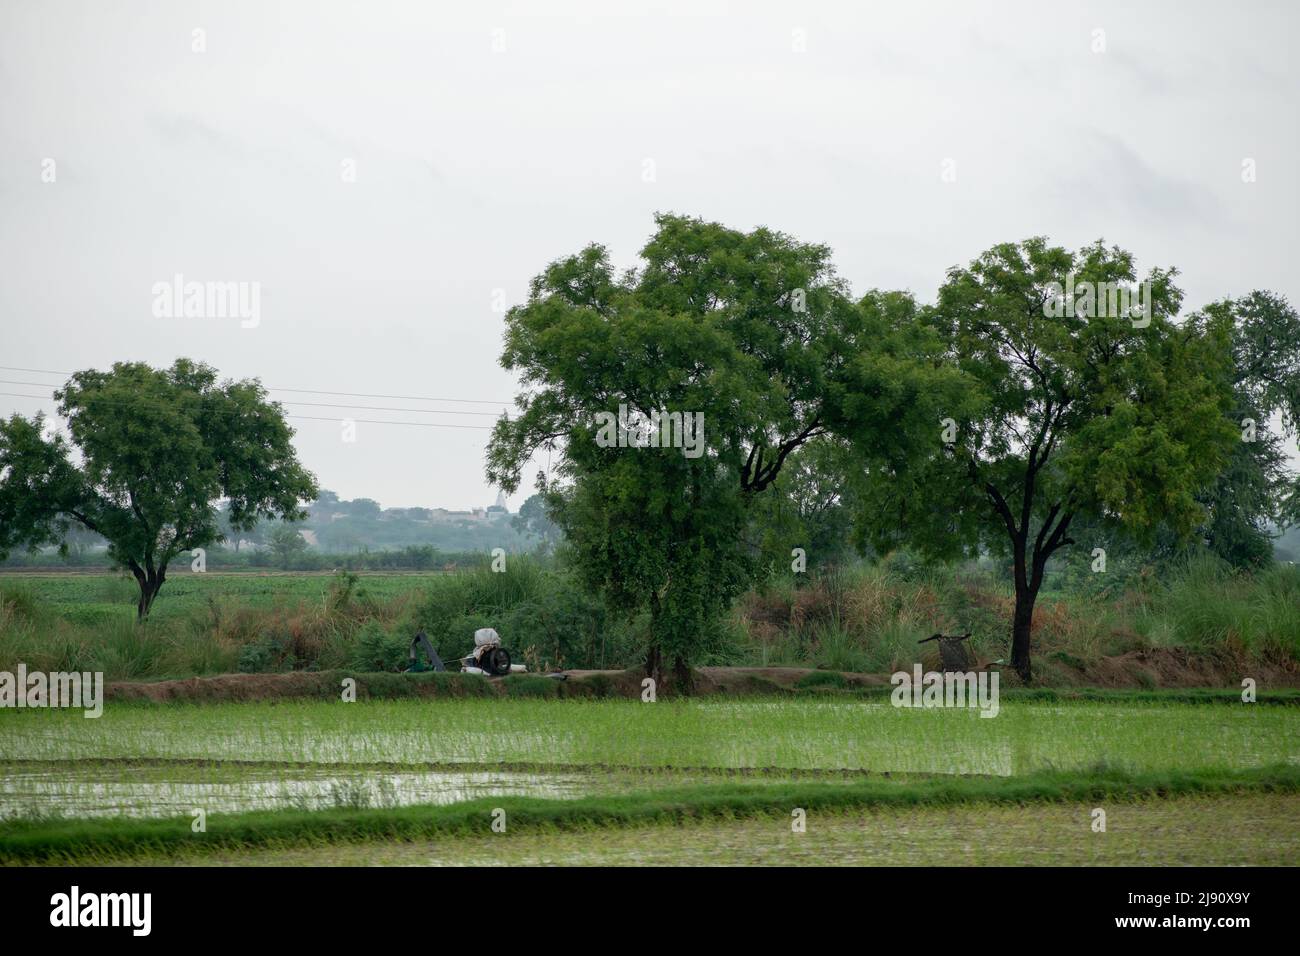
pixel 1201 625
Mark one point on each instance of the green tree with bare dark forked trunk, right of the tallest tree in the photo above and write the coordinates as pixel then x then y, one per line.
pixel 1069 412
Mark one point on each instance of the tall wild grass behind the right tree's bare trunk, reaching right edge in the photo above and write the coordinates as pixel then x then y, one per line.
pixel 870 617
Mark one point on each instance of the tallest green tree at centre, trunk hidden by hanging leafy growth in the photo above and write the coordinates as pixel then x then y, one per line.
pixel 749 331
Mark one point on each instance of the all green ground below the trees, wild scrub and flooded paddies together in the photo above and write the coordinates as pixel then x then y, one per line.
pixel 1188 777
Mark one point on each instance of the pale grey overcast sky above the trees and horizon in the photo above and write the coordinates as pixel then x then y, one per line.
pixel 488 140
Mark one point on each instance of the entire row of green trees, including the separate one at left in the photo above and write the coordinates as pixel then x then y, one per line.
pixel 994 421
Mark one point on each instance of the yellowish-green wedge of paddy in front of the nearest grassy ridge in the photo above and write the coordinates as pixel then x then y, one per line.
pixel 1238 830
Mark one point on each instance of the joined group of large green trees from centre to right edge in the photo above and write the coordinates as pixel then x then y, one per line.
pixel 993 421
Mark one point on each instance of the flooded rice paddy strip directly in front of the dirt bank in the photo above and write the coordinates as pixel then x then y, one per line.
pixel 800 734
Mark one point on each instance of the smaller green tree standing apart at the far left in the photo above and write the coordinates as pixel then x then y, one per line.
pixel 151 452
